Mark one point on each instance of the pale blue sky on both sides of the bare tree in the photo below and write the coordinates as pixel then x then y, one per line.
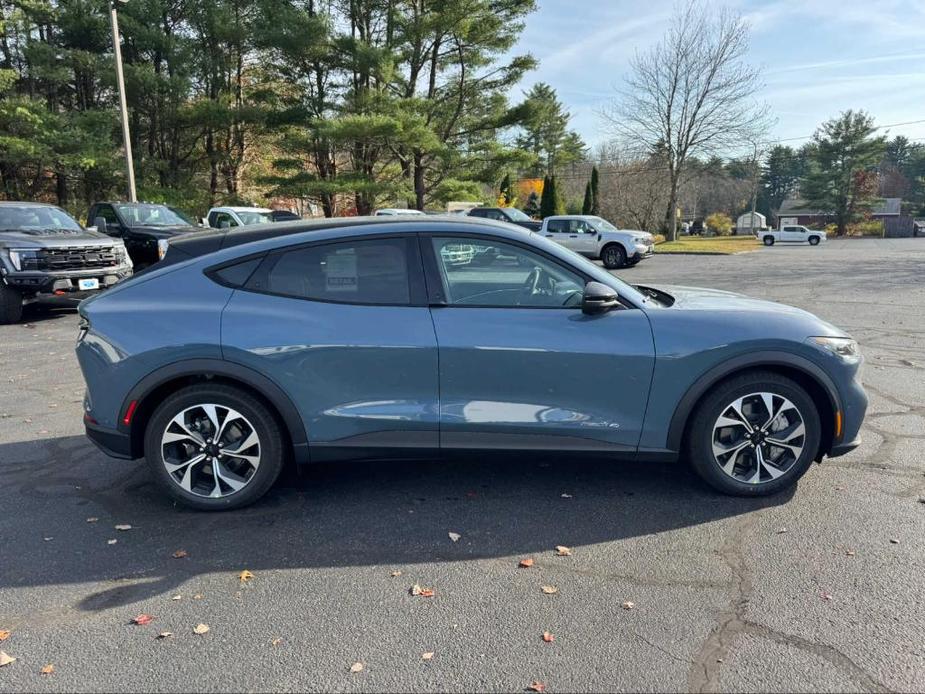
pixel 818 57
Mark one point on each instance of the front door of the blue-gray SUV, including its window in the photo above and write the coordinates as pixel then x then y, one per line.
pixel 521 367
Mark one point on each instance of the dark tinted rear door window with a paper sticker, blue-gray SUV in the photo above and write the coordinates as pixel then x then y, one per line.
pixel 373 271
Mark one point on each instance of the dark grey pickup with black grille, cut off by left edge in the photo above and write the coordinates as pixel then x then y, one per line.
pixel 45 255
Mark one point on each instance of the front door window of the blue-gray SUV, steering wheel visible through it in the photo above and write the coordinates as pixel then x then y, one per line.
pixel 477 272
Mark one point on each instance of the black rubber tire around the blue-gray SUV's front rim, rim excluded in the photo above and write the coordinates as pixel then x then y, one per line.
pixel 701 434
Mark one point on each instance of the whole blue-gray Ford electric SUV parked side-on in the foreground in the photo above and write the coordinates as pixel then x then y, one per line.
pixel 411 337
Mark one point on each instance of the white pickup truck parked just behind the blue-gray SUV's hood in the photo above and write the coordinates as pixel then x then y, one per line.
pixel 597 238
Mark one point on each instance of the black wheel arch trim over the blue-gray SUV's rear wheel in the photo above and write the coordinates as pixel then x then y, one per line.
pixel 228 369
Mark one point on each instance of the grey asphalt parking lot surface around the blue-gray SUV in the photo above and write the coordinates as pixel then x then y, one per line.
pixel 819 590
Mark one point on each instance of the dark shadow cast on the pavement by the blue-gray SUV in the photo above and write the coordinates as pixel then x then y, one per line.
pixel 392 514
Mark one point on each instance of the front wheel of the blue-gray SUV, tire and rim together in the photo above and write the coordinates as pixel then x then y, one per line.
pixel 734 472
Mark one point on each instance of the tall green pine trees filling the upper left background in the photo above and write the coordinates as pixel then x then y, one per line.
pixel 341 103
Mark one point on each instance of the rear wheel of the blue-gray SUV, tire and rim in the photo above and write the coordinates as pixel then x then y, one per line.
pixel 241 415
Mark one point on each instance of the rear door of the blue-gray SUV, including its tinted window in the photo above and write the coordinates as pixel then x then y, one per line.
pixel 344 328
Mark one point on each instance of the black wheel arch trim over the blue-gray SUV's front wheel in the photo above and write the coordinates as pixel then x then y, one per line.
pixel 753 360
